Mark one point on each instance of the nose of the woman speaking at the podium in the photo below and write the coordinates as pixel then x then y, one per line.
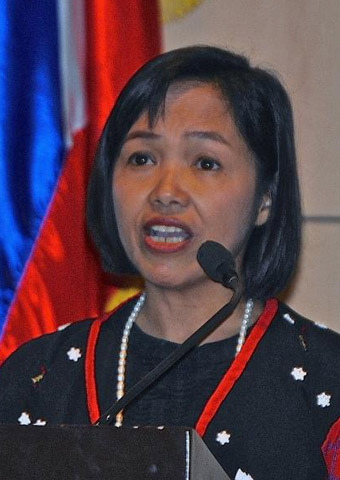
pixel 170 192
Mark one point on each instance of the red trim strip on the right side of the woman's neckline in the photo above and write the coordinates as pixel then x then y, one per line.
pixel 237 367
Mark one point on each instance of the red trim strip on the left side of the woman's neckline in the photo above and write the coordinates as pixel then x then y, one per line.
pixel 90 362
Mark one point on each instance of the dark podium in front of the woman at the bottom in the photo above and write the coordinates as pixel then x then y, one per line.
pixel 75 452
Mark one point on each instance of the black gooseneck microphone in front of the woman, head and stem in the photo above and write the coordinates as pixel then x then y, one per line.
pixel 219 265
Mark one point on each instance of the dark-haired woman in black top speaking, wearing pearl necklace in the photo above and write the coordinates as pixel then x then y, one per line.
pixel 198 147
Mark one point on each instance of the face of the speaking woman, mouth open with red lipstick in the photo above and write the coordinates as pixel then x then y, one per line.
pixel 188 179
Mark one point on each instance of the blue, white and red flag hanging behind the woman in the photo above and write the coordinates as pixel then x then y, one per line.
pixel 62 65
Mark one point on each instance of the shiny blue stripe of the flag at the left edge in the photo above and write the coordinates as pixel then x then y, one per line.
pixel 31 143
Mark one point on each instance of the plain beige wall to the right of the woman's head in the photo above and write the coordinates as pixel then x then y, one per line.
pixel 300 39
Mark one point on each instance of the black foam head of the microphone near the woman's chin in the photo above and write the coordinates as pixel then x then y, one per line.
pixel 218 263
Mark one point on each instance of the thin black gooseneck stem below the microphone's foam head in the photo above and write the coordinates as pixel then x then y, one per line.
pixel 195 339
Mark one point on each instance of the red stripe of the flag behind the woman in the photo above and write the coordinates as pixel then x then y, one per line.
pixel 63 280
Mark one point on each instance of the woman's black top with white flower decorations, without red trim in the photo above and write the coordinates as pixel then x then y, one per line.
pixel 271 425
